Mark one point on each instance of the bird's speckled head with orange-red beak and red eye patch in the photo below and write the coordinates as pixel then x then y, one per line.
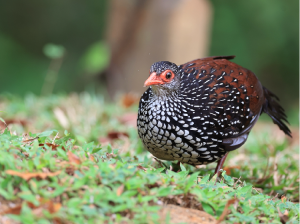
pixel 164 77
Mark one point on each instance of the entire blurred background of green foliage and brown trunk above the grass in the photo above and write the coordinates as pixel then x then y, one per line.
pixel 108 47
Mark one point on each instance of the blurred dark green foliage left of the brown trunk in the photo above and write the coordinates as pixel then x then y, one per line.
pixel 76 26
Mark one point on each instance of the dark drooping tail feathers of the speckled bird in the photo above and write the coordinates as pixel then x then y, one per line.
pixel 275 111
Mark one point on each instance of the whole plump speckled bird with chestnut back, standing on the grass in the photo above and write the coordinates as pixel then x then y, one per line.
pixel 198 112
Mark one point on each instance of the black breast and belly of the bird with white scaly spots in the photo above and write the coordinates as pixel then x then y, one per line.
pixel 169 132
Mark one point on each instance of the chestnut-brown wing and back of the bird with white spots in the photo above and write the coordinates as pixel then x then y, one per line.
pixel 230 97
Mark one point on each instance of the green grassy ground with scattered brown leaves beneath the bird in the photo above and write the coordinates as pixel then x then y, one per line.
pixel 120 181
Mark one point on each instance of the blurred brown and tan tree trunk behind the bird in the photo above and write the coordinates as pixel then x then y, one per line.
pixel 141 32
